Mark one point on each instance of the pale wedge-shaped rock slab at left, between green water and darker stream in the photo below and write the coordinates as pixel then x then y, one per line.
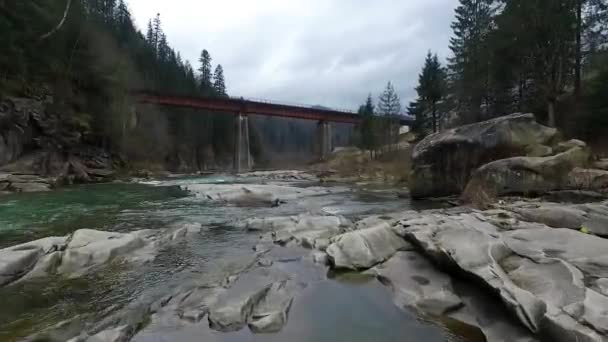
pixel 90 248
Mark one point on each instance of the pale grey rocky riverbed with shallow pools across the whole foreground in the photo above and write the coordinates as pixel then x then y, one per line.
pixel 275 258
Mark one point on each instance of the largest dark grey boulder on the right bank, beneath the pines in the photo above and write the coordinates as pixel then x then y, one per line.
pixel 443 162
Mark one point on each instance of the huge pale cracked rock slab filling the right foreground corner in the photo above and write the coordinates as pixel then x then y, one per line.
pixel 538 272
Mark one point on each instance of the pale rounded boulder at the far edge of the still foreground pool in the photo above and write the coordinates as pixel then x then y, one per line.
pixel 364 248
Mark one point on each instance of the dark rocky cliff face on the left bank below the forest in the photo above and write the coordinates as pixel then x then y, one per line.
pixel 34 142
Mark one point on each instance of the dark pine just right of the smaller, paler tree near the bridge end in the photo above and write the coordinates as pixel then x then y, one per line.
pixel 431 91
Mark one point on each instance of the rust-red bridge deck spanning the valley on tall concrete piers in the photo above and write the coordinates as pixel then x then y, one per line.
pixel 244 106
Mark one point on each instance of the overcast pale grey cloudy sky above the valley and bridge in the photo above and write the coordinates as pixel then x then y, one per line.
pixel 327 52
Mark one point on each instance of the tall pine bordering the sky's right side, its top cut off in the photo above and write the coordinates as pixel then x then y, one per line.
pixel 469 65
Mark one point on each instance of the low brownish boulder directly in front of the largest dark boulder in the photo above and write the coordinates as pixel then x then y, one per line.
pixel 526 175
